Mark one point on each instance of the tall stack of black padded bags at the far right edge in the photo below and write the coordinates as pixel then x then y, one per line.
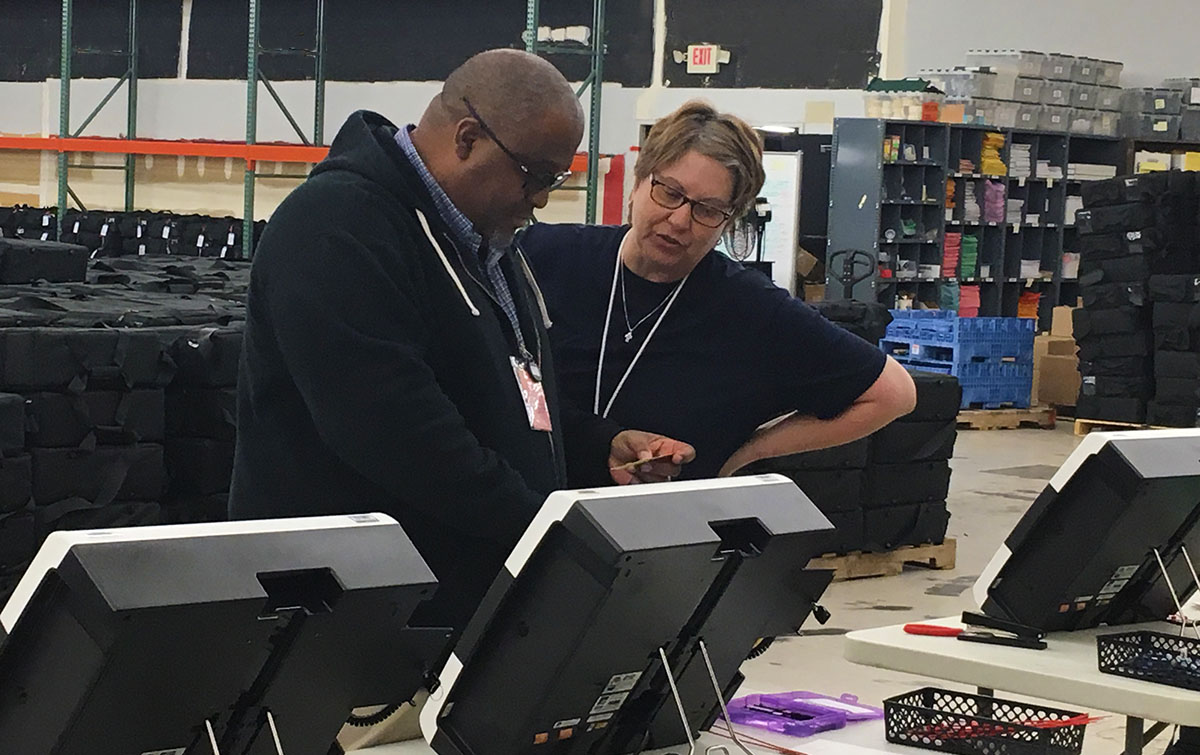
pixel 1138 254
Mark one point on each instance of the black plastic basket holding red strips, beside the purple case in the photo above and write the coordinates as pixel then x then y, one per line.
pixel 939 720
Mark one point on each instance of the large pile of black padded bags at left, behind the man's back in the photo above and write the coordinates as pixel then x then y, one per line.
pixel 109 381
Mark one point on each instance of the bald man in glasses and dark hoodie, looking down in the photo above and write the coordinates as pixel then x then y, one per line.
pixel 397 356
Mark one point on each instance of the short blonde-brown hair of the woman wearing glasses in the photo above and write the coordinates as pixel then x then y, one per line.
pixel 727 139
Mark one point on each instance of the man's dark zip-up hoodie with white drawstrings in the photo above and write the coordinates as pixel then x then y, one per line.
pixel 376 375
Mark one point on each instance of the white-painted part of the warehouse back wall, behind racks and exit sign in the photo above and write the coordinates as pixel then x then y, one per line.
pixel 915 34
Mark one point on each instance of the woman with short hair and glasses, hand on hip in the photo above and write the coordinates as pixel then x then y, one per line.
pixel 655 329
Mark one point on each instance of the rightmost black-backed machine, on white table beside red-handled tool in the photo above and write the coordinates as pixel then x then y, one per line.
pixel 1083 555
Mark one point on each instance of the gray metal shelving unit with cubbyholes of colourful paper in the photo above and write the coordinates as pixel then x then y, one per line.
pixel 896 211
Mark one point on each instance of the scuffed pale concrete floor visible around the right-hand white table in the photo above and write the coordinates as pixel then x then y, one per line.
pixel 997 476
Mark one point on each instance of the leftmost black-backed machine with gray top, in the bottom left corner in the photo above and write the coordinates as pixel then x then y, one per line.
pixel 137 644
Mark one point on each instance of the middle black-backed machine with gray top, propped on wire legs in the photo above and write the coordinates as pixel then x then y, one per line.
pixel 572 648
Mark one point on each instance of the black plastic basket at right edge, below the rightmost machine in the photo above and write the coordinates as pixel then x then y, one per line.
pixel 1151 657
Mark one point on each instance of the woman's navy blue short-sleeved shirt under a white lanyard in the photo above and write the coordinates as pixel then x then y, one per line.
pixel 734 352
